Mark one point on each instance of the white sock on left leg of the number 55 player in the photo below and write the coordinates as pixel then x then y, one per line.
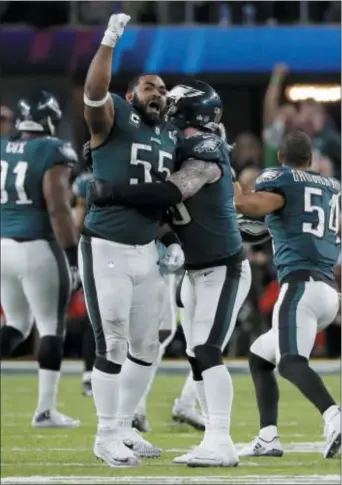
pixel 106 395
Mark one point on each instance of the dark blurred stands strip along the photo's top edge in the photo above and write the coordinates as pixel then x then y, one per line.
pixel 224 13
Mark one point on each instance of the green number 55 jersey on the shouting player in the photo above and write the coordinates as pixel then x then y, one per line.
pixel 134 152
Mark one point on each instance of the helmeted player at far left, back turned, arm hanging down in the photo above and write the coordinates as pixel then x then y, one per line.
pixel 38 245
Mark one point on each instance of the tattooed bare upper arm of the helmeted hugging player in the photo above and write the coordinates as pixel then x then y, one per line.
pixel 193 175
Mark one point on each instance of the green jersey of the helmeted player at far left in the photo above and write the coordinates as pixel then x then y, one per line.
pixel 23 166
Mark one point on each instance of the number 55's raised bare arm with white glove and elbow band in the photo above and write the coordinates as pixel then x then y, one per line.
pixel 98 103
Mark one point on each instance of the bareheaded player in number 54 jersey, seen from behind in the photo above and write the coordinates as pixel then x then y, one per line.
pixel 302 211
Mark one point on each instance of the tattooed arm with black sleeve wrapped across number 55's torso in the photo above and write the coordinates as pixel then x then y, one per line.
pixel 181 185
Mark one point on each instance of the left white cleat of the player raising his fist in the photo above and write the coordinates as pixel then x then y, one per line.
pixel 115 453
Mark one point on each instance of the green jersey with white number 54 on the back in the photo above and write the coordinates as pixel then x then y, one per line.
pixel 305 231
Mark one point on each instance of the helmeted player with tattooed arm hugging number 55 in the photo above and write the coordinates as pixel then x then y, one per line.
pixel 201 194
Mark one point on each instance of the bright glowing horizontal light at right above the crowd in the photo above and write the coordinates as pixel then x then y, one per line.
pixel 329 93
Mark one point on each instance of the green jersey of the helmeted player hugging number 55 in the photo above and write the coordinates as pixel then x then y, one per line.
pixel 207 222
